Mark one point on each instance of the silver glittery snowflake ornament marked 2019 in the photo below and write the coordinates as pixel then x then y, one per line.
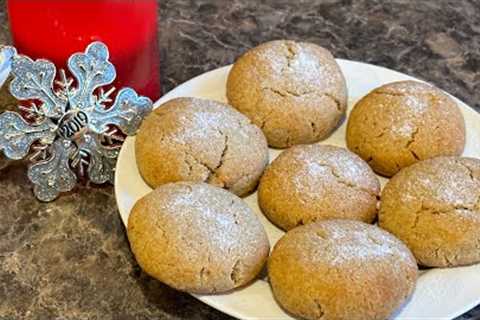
pixel 69 128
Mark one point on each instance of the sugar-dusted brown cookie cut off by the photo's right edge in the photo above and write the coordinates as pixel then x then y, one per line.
pixel 434 207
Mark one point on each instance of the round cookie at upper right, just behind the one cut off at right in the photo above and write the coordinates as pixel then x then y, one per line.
pixel 403 122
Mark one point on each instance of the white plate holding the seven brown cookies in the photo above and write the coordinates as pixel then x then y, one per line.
pixel 440 293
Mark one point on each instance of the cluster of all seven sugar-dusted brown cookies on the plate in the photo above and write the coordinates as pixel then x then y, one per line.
pixel 195 233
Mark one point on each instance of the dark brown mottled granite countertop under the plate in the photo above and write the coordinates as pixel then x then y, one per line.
pixel 70 259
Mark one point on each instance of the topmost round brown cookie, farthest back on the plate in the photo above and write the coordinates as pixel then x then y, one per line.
pixel 294 91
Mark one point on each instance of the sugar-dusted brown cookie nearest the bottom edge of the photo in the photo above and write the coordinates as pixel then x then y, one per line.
pixel 341 269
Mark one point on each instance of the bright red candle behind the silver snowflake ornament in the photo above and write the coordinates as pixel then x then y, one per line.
pixel 54 29
